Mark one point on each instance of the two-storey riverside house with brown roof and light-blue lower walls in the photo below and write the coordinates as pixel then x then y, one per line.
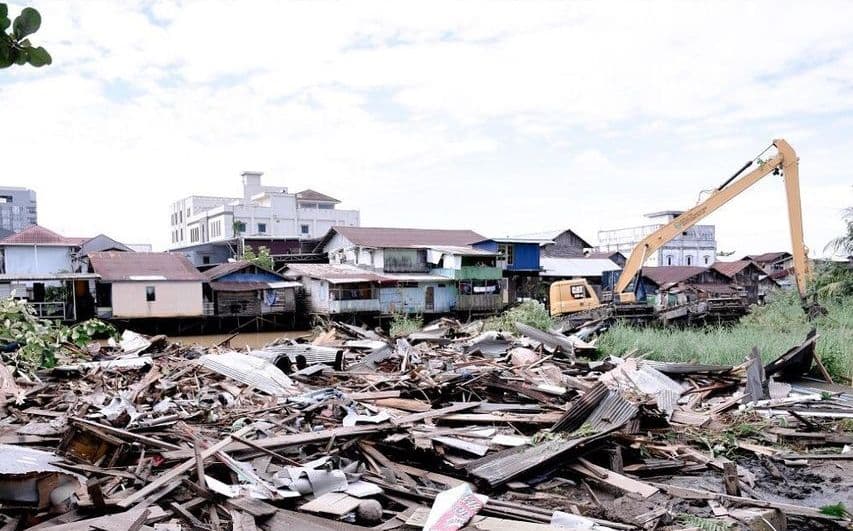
pixel 391 270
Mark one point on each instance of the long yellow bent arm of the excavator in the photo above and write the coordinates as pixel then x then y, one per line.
pixel 785 161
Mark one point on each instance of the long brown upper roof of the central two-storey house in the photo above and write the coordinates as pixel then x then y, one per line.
pixel 394 237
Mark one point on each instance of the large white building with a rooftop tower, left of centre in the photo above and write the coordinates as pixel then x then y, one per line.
pixel 263 211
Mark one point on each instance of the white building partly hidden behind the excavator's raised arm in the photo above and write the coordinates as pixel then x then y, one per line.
pixel 697 246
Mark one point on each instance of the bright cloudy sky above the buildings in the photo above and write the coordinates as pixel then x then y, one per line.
pixel 501 117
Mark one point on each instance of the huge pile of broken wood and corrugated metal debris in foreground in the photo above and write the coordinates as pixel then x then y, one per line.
pixel 449 427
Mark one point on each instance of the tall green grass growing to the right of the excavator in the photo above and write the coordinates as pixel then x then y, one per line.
pixel 773 328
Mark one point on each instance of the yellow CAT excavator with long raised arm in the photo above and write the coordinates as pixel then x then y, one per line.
pixel 577 299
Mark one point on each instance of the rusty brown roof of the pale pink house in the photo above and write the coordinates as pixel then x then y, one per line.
pixel 120 266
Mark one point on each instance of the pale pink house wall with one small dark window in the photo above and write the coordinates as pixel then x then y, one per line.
pixel 173 299
